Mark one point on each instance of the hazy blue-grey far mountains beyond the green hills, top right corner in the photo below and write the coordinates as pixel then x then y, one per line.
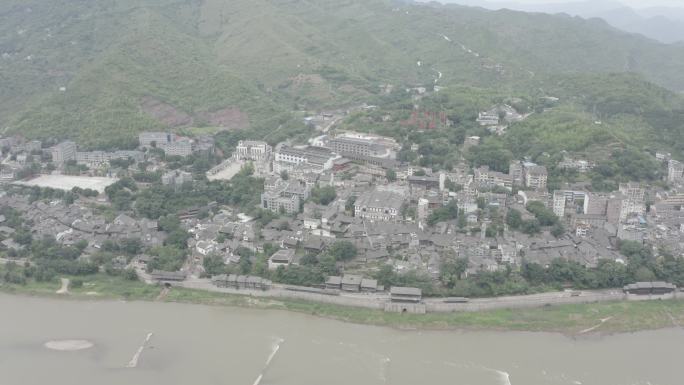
pixel 660 23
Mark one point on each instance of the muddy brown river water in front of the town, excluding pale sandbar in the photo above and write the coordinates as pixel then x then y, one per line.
pixel 192 344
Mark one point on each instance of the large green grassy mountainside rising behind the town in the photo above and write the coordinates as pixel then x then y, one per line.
pixel 99 71
